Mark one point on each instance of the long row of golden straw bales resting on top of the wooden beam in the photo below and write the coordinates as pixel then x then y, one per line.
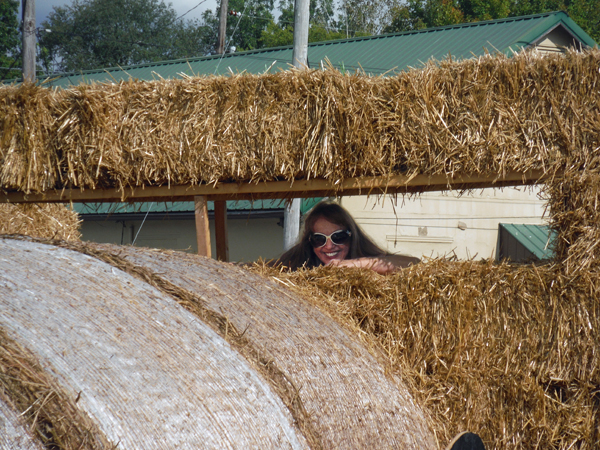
pixel 486 115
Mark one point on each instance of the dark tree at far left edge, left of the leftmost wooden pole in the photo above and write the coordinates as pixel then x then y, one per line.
pixel 9 39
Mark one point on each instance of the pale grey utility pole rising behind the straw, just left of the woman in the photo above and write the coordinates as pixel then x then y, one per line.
pixel 291 214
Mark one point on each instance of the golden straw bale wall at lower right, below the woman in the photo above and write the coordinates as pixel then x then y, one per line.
pixel 509 352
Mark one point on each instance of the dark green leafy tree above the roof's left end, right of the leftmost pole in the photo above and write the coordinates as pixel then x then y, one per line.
pixel 90 34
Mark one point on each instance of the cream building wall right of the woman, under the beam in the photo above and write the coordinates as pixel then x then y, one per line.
pixel 444 223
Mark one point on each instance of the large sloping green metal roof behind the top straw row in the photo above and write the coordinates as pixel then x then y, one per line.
pixel 374 54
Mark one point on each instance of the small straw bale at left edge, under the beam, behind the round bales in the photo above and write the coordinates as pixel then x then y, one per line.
pixel 48 221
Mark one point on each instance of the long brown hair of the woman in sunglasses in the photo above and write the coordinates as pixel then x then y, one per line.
pixel 302 254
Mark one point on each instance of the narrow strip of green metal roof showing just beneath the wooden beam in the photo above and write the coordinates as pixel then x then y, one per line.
pixel 175 207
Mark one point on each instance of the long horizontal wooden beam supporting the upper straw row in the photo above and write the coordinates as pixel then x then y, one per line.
pixel 281 189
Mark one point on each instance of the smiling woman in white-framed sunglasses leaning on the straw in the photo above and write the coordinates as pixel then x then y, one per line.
pixel 332 237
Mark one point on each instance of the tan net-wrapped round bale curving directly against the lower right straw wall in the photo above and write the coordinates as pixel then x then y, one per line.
pixel 350 401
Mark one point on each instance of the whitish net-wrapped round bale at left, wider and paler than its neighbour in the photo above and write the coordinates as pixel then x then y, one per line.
pixel 148 372
